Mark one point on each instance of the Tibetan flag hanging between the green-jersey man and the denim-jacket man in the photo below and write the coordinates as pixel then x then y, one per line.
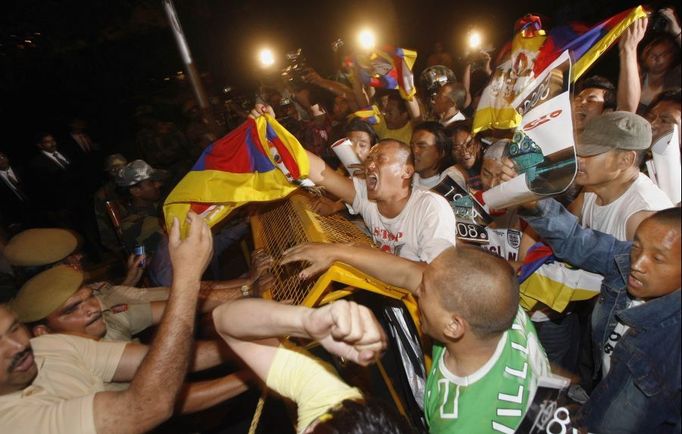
pixel 545 279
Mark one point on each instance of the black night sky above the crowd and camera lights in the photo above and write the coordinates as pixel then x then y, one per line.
pixel 99 59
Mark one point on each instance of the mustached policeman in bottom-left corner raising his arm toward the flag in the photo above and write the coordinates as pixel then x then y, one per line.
pixel 63 386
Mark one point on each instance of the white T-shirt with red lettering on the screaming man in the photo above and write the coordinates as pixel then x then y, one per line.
pixel 422 230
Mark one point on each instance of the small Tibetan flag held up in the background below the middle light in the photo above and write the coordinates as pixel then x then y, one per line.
pixel 389 68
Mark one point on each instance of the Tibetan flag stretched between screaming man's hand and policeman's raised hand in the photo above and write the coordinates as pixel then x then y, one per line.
pixel 258 161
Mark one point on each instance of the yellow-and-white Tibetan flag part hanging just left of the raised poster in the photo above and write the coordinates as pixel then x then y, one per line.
pixel 514 72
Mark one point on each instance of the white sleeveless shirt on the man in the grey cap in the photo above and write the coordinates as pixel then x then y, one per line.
pixel 643 195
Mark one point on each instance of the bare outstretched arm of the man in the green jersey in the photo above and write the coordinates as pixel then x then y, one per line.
pixel 388 268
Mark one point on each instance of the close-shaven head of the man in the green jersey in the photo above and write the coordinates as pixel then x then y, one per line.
pixel 479 286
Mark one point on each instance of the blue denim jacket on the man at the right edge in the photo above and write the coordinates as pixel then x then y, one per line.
pixel 641 393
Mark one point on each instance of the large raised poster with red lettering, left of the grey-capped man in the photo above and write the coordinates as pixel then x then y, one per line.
pixel 542 147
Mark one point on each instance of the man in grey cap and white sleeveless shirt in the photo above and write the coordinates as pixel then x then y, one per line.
pixel 617 197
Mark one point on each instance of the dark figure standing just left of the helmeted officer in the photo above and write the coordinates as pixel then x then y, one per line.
pixel 108 193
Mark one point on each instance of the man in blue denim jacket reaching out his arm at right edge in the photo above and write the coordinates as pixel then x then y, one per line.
pixel 636 320
